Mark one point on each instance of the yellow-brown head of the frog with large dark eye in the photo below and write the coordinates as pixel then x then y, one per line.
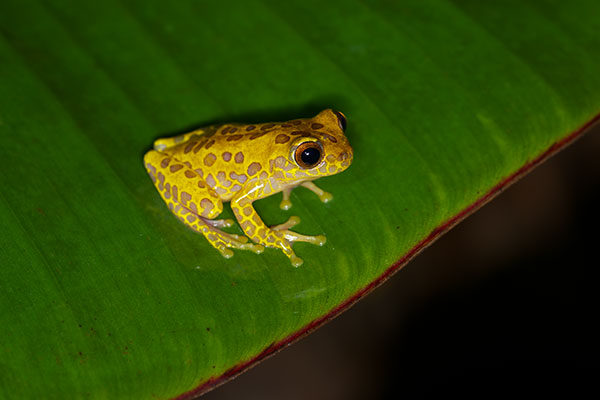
pixel 319 146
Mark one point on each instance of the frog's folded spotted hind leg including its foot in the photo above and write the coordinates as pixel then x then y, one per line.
pixel 193 202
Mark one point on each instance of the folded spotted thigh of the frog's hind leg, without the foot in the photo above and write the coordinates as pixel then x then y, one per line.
pixel 184 191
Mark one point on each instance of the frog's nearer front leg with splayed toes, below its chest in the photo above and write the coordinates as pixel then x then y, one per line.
pixel 279 236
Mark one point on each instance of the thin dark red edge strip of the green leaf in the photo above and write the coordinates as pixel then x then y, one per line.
pixel 435 234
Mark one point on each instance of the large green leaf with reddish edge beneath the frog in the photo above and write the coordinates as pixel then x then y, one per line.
pixel 104 294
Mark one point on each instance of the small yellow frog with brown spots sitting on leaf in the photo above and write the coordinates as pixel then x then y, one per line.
pixel 195 173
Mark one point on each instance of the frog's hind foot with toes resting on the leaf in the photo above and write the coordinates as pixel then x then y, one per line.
pixel 224 241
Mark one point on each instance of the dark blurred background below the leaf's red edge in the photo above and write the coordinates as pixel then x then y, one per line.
pixel 504 303
